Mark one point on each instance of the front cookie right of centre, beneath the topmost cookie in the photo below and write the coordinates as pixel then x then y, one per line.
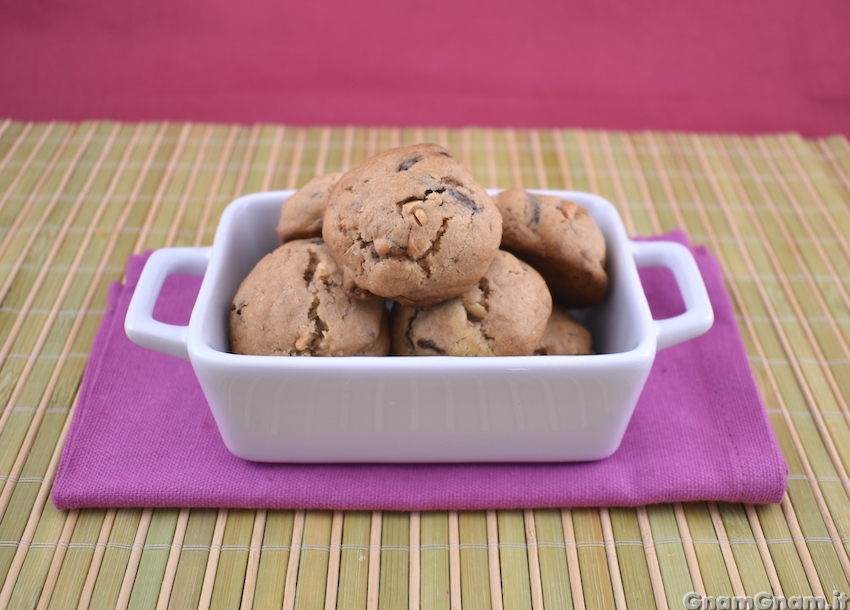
pixel 503 314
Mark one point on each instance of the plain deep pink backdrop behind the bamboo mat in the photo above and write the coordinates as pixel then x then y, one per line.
pixel 744 66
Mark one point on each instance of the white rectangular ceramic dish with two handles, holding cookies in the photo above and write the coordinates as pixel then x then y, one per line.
pixel 418 409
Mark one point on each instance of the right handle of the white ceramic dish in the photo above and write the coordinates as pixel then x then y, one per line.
pixel 699 315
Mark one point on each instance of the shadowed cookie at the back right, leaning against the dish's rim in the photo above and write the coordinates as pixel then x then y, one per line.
pixel 561 240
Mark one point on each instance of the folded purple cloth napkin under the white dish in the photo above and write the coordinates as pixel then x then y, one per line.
pixel 143 435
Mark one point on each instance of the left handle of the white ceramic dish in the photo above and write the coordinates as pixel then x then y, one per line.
pixel 139 323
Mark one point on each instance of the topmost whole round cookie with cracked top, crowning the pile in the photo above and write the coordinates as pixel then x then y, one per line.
pixel 412 224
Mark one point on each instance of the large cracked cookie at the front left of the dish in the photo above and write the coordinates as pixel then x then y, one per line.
pixel 292 304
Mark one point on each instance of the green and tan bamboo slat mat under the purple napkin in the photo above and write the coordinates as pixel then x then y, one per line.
pixel 77 199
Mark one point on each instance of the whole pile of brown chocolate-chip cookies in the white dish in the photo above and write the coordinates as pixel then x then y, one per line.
pixel 463 273
